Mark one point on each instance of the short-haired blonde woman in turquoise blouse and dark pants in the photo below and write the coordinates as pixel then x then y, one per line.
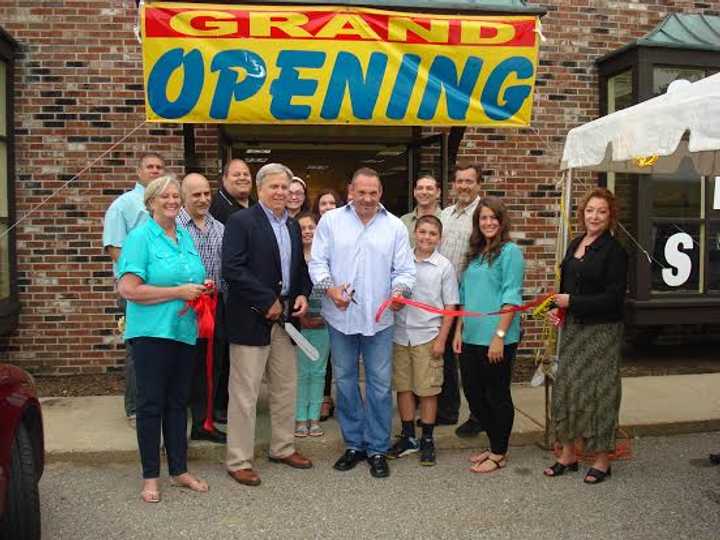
pixel 160 271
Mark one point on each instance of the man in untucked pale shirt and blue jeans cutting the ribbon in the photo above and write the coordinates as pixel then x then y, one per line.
pixel 361 256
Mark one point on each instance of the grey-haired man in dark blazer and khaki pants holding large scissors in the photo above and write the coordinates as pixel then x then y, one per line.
pixel 268 282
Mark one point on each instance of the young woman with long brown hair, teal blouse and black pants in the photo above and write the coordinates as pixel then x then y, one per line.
pixel 492 281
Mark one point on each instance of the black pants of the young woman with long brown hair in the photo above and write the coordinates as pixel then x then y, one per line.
pixel 487 389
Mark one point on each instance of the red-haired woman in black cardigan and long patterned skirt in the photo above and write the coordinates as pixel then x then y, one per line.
pixel 587 390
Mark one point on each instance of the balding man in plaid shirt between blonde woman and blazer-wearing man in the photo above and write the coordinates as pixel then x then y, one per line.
pixel 207 234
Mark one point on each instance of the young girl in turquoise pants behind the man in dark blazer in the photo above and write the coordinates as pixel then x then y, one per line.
pixel 311 374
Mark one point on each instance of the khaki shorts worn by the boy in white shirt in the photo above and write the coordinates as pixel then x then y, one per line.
pixel 416 370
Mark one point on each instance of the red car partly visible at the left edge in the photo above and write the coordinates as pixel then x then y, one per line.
pixel 22 455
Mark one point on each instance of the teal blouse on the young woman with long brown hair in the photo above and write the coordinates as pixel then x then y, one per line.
pixel 487 288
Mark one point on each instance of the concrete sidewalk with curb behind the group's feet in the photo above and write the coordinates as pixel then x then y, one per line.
pixel 94 429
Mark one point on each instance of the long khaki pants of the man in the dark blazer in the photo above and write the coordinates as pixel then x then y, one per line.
pixel 247 366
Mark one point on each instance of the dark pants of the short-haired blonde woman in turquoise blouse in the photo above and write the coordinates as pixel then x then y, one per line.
pixel 163 370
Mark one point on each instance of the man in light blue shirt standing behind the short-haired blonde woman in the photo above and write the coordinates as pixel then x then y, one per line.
pixel 125 214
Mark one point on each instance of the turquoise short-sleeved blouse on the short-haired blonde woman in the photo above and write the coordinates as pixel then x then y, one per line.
pixel 152 256
